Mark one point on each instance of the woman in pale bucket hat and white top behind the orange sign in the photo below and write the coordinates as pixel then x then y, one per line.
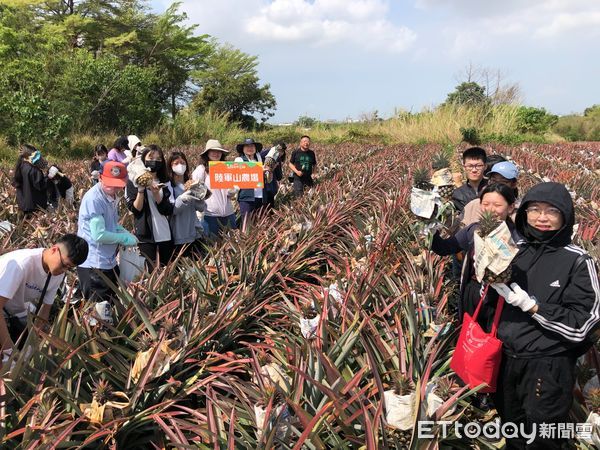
pixel 219 213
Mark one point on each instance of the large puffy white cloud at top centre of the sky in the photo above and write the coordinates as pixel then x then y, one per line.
pixel 362 23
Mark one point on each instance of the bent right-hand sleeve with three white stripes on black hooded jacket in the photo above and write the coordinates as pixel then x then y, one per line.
pixel 579 310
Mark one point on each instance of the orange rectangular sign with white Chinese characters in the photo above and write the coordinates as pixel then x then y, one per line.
pixel 228 174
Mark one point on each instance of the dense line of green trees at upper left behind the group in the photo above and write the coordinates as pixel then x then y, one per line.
pixel 93 66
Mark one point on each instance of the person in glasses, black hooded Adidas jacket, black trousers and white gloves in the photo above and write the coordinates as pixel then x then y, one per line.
pixel 553 307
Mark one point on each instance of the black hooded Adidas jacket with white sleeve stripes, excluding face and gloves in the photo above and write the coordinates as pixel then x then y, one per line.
pixel 563 279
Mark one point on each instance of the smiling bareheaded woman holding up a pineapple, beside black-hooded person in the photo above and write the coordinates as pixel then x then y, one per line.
pixel 498 199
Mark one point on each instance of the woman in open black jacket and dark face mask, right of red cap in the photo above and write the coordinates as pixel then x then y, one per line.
pixel 151 208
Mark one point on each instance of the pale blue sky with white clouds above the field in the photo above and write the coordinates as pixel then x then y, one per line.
pixel 334 59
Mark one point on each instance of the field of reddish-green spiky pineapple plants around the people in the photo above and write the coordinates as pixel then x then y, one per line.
pixel 325 324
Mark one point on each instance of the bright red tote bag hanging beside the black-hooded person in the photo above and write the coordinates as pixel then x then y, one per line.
pixel 478 354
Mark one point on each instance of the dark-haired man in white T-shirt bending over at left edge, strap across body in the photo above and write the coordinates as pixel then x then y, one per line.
pixel 27 275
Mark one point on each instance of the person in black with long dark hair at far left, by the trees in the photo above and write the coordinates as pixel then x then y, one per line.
pixel 30 181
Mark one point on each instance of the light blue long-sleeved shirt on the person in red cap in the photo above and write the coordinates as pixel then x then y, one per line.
pixel 96 203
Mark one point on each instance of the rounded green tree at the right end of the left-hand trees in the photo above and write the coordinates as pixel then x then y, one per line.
pixel 230 84
